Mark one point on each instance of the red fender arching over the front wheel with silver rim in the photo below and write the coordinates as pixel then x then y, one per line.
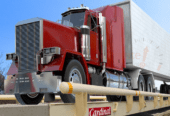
pixel 70 55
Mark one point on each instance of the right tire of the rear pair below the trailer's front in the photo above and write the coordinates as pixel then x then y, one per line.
pixel 149 87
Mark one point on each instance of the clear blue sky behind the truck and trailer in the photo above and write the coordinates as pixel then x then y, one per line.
pixel 14 11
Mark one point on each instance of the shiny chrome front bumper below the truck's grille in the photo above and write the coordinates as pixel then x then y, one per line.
pixel 33 83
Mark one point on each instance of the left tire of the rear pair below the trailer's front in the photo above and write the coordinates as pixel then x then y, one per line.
pixel 141 86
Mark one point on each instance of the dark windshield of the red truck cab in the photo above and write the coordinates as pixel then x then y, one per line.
pixel 73 19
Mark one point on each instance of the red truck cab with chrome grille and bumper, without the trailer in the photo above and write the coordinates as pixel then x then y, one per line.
pixel 87 47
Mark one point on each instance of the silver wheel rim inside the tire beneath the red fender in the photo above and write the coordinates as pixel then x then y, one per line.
pixel 75 77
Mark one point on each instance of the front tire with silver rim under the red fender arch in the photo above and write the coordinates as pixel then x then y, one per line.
pixel 75 69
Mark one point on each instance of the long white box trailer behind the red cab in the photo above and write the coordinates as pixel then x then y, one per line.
pixel 146 45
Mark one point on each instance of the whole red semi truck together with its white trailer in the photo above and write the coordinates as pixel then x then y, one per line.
pixel 105 47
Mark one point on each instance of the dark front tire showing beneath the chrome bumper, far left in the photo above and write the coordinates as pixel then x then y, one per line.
pixel 27 99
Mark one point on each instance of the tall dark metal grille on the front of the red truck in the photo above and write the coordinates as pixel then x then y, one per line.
pixel 27 45
